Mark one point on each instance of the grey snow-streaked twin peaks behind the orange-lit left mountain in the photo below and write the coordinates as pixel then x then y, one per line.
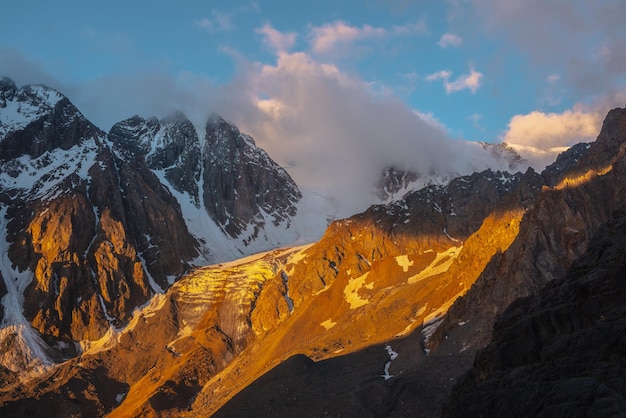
pixel 220 172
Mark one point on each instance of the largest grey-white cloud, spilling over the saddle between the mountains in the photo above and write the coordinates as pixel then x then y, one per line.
pixel 334 133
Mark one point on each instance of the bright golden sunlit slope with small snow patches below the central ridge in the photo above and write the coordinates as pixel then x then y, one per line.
pixel 358 301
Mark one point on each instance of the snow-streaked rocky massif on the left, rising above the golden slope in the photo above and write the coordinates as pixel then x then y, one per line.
pixel 97 224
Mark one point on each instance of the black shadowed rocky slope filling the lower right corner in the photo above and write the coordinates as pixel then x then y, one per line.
pixel 560 352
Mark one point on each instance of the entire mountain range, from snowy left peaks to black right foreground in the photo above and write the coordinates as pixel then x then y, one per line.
pixel 169 269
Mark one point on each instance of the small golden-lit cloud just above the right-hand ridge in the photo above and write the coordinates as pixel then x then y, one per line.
pixel 540 137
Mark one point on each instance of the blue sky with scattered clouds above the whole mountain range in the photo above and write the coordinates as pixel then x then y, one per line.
pixel 304 78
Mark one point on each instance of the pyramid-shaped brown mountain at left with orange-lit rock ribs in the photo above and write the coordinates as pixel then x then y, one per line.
pixel 90 247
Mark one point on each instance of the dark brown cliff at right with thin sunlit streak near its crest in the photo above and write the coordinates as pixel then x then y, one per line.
pixel 554 232
